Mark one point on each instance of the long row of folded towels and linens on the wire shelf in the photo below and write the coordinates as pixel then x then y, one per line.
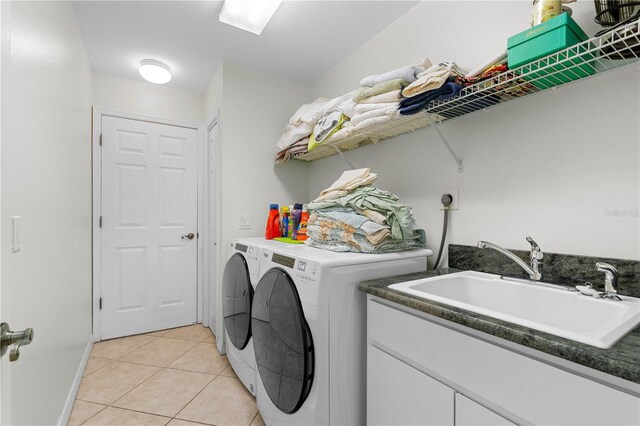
pixel 383 99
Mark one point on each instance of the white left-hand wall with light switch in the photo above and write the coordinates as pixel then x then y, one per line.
pixel 46 179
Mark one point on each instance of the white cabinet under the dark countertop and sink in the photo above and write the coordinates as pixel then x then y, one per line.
pixel 501 382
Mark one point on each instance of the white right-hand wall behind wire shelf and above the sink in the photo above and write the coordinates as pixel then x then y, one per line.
pixel 555 166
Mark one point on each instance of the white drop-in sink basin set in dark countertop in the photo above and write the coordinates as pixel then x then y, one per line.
pixel 557 311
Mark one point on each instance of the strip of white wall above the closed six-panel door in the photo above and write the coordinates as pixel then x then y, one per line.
pixel 146 99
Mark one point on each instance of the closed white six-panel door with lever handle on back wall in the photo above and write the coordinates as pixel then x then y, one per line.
pixel 149 226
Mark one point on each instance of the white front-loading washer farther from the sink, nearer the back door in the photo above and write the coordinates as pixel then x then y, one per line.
pixel 241 274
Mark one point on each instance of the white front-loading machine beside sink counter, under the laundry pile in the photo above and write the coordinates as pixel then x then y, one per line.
pixel 309 332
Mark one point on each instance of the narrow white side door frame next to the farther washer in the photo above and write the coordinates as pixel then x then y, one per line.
pixel 215 121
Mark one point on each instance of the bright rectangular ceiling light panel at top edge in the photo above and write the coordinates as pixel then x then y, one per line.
pixel 249 15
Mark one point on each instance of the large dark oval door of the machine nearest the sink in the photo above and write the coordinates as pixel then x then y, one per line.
pixel 282 341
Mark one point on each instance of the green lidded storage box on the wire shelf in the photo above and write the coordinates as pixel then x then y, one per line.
pixel 549 37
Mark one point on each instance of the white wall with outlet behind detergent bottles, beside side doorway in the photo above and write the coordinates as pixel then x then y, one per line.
pixel 254 106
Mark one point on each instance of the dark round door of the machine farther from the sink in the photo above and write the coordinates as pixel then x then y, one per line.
pixel 237 297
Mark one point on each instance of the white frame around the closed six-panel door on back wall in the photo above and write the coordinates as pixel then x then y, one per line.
pixel 96 173
